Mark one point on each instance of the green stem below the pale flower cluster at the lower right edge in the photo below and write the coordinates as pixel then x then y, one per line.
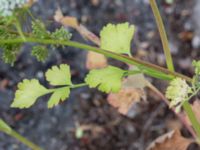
pixel 188 109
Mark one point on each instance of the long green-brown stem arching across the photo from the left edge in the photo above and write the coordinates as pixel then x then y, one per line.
pixel 129 60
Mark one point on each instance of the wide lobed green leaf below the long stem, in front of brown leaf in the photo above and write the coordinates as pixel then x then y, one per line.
pixel 106 80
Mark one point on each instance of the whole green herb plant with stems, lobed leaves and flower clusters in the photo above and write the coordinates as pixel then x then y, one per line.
pixel 115 44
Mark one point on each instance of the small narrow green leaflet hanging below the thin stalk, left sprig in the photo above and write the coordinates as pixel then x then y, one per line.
pixel 59 95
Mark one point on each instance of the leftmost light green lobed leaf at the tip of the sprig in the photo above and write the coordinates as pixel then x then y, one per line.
pixel 27 93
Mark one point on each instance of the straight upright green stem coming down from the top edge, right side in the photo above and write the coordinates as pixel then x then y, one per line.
pixel 163 35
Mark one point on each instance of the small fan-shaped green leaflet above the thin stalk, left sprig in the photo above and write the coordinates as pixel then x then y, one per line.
pixel 59 75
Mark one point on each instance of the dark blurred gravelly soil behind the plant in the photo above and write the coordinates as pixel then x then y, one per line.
pixel 55 128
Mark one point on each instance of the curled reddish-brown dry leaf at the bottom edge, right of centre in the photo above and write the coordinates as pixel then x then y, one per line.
pixel 172 140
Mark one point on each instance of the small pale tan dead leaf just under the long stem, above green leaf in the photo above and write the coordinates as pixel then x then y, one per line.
pixel 95 61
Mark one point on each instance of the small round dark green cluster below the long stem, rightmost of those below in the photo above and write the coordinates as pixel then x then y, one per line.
pixel 40 52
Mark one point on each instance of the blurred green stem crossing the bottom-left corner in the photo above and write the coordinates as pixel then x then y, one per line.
pixel 4 127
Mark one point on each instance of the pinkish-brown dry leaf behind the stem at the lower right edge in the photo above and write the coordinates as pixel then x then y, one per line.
pixel 196 109
